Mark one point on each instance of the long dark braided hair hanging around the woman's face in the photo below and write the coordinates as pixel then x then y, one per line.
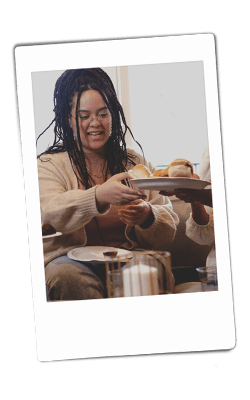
pixel 75 82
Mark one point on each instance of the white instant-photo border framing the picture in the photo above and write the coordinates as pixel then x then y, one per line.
pixel 140 325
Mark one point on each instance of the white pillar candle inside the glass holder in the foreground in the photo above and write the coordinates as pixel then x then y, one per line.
pixel 140 280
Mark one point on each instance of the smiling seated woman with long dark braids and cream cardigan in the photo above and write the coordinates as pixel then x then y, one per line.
pixel 84 189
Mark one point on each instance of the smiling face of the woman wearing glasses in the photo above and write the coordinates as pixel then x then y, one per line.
pixel 94 121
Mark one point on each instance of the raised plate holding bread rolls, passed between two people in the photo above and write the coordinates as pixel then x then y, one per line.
pixel 169 183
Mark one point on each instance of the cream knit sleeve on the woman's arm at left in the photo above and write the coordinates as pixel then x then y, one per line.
pixel 65 208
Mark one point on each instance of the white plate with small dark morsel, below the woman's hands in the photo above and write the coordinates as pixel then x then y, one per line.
pixel 95 253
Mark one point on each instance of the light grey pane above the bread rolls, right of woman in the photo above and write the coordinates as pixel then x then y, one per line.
pixel 168 110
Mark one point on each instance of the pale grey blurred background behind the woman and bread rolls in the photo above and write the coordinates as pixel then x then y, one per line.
pixel 164 106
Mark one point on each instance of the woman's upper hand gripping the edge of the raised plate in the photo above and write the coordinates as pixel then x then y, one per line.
pixel 114 192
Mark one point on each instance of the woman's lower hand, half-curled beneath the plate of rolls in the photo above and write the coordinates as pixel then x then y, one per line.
pixel 138 212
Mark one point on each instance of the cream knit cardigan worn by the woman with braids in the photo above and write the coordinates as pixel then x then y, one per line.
pixel 68 209
